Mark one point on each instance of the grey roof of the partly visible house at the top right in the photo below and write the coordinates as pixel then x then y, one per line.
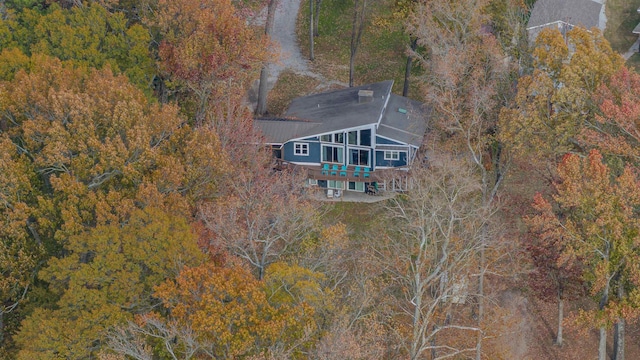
pixel 585 13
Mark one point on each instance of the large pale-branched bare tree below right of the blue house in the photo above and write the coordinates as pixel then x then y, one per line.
pixel 433 244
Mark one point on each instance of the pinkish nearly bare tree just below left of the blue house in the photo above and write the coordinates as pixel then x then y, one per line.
pixel 264 214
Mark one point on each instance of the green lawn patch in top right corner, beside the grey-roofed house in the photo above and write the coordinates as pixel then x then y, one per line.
pixel 622 17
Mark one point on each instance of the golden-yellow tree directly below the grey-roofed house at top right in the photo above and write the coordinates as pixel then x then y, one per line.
pixel 555 102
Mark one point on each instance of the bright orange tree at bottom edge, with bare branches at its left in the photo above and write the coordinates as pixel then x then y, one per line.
pixel 213 312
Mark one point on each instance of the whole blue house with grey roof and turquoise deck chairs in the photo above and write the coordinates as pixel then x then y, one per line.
pixel 349 139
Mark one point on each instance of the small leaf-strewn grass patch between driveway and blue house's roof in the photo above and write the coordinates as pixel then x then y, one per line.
pixel 289 86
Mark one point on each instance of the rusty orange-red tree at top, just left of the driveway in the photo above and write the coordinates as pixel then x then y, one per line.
pixel 209 51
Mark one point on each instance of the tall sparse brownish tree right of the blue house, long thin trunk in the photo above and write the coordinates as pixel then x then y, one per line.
pixel 464 72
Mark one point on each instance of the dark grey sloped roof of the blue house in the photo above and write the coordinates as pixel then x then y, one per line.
pixel 342 109
